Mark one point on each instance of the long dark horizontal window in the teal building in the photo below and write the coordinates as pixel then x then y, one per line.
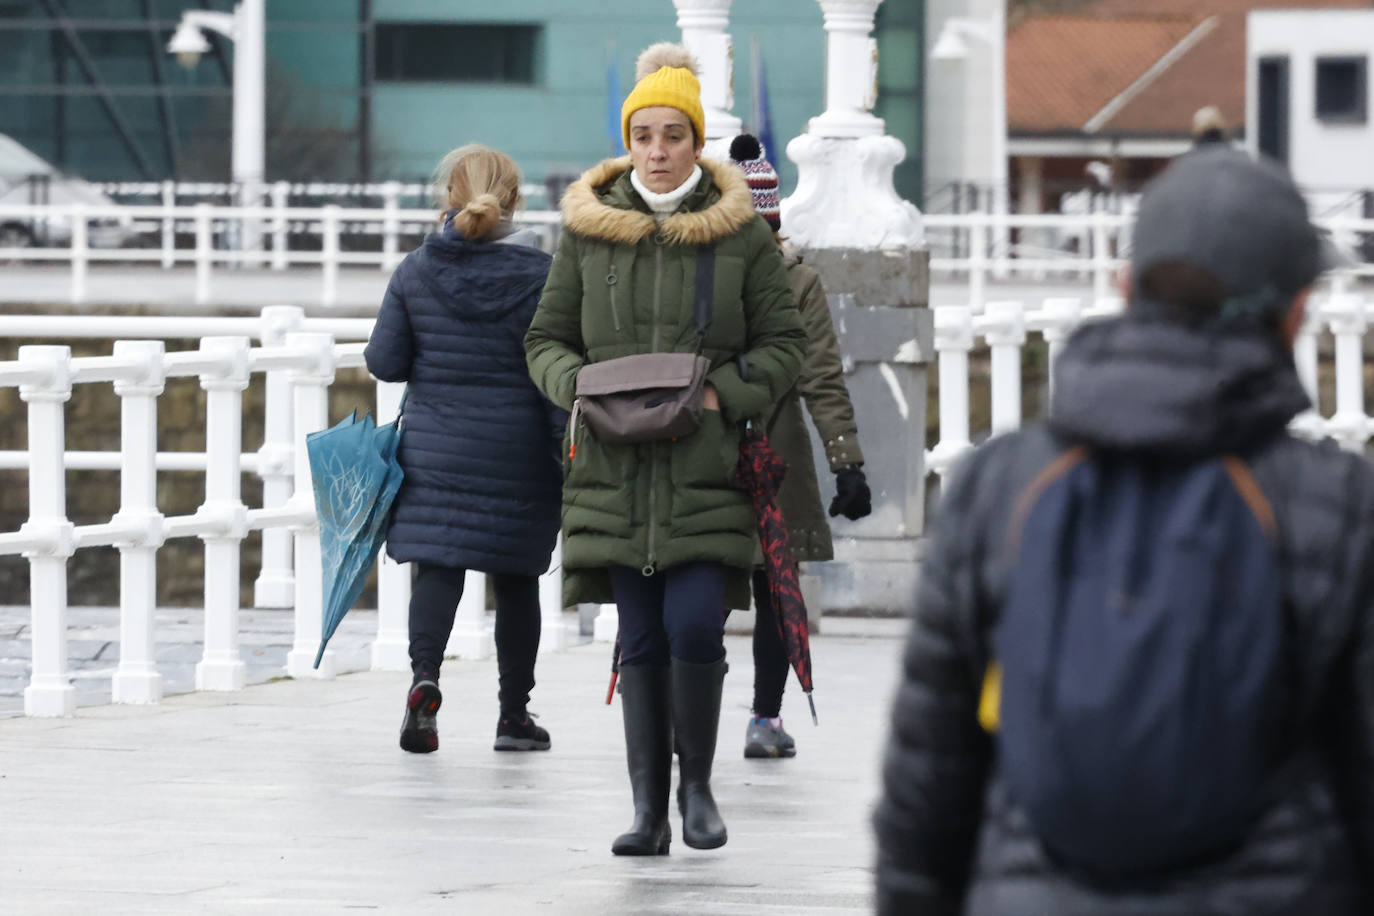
pixel 455 53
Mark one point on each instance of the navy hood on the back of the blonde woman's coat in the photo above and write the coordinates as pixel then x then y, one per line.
pixel 482 281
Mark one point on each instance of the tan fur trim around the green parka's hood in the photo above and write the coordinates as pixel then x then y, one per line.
pixel 589 212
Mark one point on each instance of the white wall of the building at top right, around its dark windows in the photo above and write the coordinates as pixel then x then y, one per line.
pixel 1331 160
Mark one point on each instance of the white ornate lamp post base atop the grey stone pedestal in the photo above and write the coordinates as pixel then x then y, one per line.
pixel 846 197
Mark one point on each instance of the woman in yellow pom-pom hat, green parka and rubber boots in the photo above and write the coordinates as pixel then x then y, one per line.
pixel 662 528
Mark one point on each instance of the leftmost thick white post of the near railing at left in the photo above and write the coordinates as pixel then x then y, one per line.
pixel 50 691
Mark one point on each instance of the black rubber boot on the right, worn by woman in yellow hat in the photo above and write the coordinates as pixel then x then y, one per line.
pixel 696 691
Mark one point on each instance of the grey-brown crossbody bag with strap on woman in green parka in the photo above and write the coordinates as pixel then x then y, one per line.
pixel 651 398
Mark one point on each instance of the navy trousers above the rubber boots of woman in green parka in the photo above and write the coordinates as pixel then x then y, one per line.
pixel 675 613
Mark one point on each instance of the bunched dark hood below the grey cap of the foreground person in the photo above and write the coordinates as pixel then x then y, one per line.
pixel 1155 387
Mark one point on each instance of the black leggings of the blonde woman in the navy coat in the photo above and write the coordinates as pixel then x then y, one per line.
pixel 433 606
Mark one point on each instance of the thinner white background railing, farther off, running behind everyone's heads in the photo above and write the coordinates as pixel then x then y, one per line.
pixel 980 248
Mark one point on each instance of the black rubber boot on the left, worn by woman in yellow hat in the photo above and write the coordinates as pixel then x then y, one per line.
pixel 649 748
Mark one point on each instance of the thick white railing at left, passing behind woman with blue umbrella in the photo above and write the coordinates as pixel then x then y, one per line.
pixel 299 367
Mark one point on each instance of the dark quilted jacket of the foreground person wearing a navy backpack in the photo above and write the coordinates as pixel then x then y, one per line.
pixel 951 840
